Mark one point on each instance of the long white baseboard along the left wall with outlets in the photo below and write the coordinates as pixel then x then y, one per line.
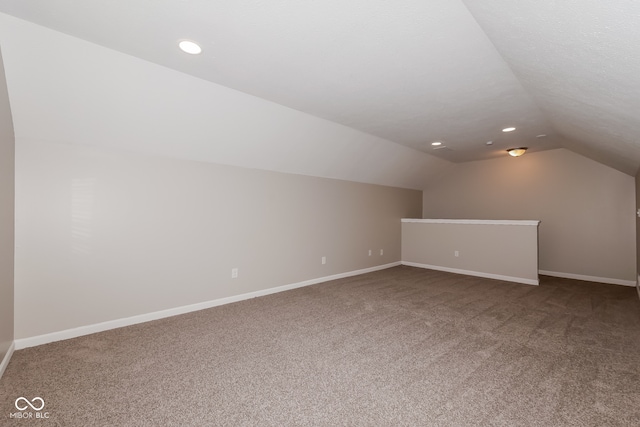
pixel 127 321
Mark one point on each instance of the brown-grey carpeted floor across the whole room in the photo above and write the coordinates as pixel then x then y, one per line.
pixel 398 347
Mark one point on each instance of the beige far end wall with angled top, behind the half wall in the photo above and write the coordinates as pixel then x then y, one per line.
pixel 586 209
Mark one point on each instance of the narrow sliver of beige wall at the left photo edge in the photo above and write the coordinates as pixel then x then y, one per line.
pixel 7 147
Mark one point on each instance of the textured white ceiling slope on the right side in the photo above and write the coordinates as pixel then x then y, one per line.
pixel 580 60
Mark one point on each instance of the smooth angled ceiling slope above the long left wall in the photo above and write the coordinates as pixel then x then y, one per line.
pixel 67 91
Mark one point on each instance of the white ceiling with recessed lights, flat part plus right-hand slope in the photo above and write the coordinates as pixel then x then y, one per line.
pixel 411 72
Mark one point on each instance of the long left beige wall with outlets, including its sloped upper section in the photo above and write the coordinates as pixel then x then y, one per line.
pixel 109 231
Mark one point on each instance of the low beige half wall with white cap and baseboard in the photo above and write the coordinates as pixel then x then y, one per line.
pixel 499 251
